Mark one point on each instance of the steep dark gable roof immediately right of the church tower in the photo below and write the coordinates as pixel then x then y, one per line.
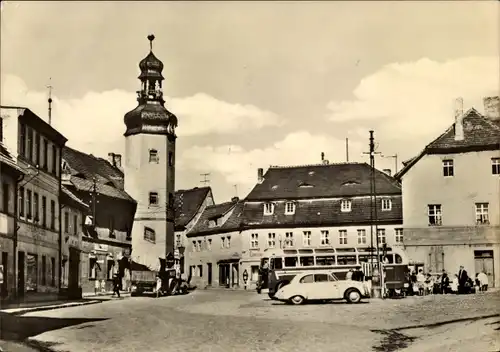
pixel 187 203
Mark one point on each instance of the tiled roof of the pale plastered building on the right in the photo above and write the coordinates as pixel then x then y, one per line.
pixel 480 133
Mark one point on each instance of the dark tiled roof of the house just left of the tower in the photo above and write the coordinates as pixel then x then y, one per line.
pixel 91 166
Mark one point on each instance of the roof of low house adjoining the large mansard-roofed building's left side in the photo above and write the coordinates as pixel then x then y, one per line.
pixel 214 212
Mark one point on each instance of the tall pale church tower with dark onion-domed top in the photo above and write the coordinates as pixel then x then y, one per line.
pixel 150 166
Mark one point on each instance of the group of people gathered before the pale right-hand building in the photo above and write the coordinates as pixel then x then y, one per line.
pixel 461 283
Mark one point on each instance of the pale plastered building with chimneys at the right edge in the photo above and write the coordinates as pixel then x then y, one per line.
pixel 456 220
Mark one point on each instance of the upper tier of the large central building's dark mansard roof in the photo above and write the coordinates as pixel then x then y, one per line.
pixel 322 181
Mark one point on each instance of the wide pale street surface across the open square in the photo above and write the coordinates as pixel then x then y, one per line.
pixel 216 320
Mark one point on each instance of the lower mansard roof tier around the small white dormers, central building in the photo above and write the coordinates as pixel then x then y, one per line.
pixel 321 213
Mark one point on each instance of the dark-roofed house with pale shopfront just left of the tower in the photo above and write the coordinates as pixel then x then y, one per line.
pixel 106 242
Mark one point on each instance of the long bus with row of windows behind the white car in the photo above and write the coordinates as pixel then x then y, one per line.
pixel 279 266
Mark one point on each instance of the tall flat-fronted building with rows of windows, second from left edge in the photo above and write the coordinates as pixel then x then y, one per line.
pixel 37 148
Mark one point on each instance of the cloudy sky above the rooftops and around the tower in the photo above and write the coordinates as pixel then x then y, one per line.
pixel 257 83
